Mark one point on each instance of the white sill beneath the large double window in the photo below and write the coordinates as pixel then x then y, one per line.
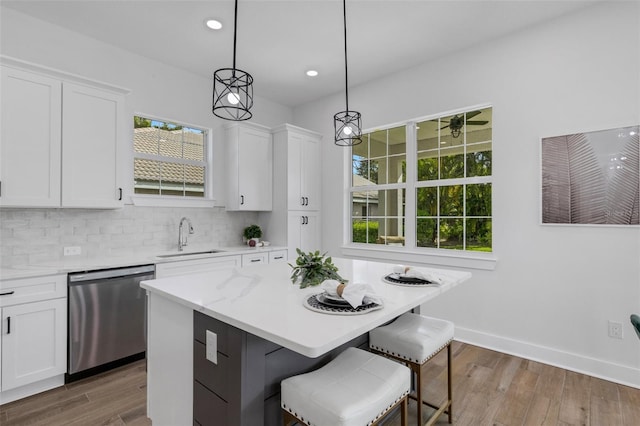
pixel 471 260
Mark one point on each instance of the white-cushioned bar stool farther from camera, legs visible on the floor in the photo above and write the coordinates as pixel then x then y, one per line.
pixel 414 339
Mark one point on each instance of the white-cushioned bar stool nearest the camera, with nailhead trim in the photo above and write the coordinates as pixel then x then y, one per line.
pixel 356 388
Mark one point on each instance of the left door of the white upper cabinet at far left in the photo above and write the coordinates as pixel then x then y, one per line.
pixel 30 144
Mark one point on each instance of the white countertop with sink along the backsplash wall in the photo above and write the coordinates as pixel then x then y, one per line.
pixel 78 263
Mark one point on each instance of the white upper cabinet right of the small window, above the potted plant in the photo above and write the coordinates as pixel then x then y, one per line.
pixel 249 166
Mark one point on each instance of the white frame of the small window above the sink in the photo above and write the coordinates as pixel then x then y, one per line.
pixel 172 200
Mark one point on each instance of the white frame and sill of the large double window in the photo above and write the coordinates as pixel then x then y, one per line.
pixel 410 253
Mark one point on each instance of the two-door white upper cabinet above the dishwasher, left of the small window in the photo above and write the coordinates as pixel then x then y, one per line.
pixel 59 143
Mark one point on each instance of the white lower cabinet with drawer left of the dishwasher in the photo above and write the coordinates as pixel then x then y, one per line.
pixel 33 346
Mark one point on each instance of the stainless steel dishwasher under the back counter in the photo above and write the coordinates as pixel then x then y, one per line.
pixel 107 319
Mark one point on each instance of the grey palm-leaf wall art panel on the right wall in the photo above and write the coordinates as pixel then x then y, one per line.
pixel 592 178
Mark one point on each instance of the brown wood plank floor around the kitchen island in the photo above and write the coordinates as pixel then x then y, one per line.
pixel 490 388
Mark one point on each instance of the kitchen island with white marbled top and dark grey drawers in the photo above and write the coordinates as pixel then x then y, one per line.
pixel 259 333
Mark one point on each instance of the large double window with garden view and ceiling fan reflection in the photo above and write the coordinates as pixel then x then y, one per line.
pixel 447 191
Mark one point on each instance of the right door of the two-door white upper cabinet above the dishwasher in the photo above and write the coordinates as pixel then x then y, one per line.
pixel 91 132
